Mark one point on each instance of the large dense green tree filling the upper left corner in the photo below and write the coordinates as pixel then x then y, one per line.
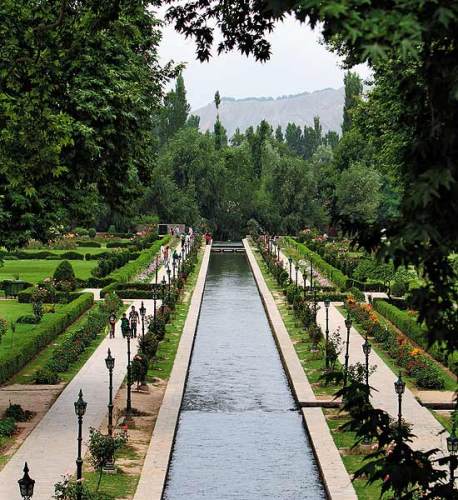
pixel 60 142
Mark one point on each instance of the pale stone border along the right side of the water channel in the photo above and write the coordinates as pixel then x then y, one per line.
pixel 335 478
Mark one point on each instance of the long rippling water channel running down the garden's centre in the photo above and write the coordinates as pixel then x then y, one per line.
pixel 240 435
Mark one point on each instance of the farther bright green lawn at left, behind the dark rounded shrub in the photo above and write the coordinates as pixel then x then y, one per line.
pixel 37 270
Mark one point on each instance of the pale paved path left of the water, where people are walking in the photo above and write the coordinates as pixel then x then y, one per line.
pixel 50 449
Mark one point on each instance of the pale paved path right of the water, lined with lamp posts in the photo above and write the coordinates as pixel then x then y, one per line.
pixel 425 427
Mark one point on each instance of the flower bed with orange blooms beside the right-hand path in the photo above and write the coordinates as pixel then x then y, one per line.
pixel 424 371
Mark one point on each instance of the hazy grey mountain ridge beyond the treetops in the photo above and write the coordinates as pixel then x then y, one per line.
pixel 299 109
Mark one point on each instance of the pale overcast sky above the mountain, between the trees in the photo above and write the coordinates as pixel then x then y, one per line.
pixel 298 63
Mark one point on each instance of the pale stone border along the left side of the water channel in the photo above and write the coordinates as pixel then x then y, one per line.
pixel 154 473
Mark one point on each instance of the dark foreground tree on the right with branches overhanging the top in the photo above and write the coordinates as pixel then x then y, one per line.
pixel 417 43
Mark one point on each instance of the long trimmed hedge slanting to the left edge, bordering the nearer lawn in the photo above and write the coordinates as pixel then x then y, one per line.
pixel 43 334
